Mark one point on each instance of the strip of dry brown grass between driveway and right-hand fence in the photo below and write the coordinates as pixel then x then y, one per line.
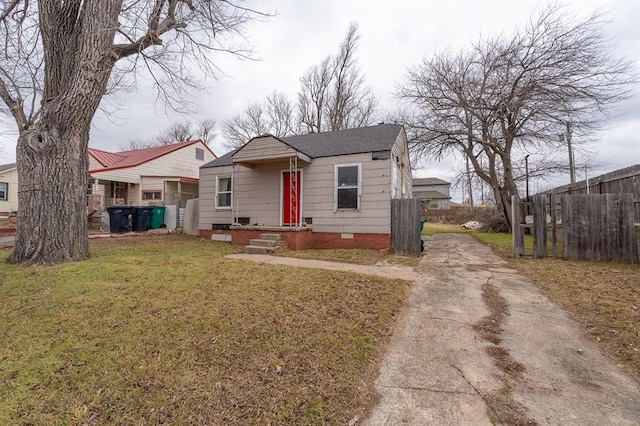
pixel 603 297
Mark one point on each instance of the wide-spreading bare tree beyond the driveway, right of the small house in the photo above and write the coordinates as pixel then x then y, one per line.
pixel 511 96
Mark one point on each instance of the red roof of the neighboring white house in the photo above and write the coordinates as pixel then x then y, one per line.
pixel 125 159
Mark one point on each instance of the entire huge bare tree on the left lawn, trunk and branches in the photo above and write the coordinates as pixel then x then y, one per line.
pixel 58 61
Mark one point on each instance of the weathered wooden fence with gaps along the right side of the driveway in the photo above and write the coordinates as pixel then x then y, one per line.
pixel 594 227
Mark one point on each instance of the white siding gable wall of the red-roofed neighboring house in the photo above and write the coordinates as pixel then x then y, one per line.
pixel 178 163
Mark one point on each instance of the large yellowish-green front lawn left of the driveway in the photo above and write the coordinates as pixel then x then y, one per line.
pixel 164 329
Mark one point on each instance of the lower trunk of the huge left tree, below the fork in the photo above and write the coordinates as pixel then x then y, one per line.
pixel 52 214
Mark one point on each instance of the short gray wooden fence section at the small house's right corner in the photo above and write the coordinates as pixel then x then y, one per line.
pixel 405 226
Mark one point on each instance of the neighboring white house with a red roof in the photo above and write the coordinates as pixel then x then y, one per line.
pixel 152 176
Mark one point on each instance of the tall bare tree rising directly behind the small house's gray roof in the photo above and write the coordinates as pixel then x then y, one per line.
pixel 333 95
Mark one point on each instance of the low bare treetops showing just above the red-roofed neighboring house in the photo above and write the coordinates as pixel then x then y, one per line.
pixel 177 132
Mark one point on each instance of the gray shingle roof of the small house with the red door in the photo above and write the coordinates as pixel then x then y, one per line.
pixel 341 142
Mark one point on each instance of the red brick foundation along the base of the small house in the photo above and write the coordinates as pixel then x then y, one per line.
pixel 306 239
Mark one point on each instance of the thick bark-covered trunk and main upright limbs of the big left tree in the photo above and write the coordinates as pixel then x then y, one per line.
pixel 51 153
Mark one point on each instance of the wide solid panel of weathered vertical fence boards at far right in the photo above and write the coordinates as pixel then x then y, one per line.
pixel 599 228
